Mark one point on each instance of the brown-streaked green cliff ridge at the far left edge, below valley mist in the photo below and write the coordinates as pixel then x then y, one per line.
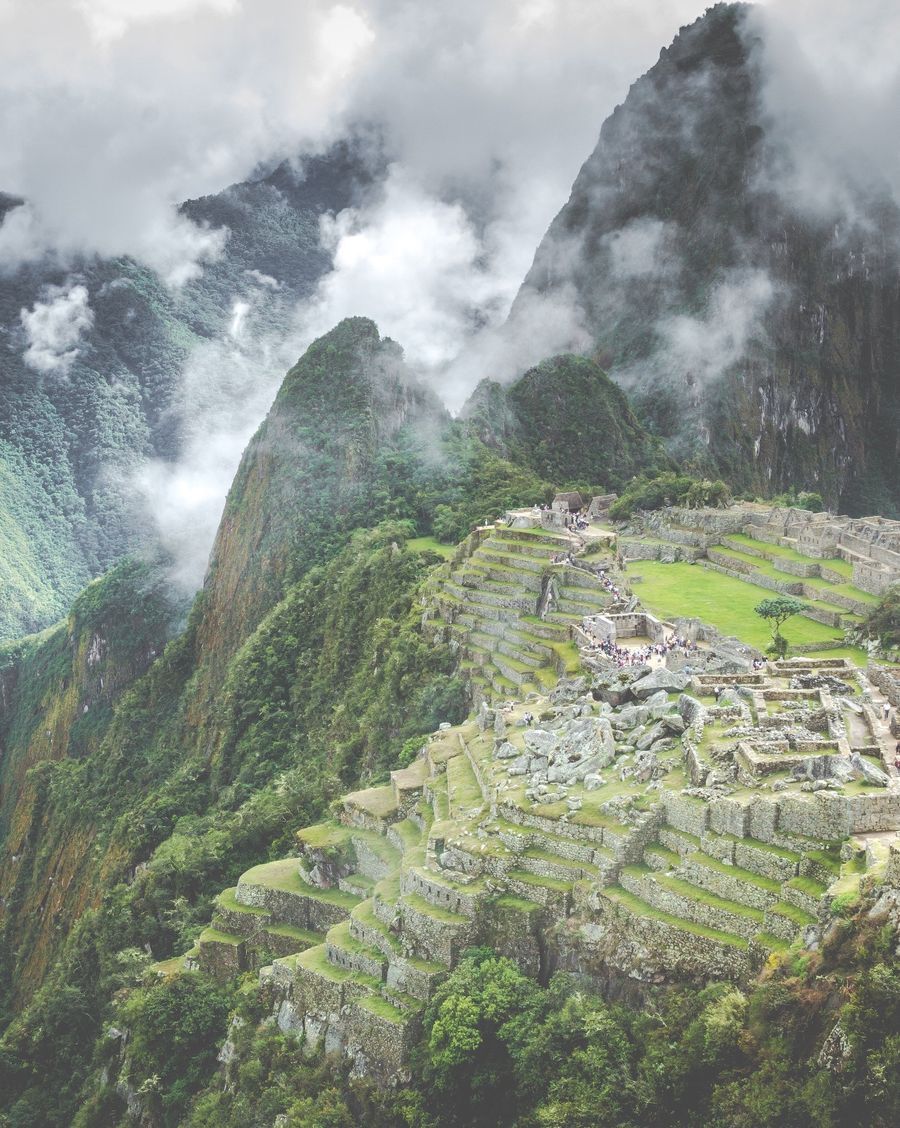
pixel 57 697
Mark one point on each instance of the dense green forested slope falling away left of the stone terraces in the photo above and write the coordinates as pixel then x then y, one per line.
pixel 331 686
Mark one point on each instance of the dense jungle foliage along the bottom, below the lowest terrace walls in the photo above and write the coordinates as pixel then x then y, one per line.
pixel 814 1045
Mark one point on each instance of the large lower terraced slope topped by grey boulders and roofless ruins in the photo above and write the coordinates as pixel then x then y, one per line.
pixel 602 840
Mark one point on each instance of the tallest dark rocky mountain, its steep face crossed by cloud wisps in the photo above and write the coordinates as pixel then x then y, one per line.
pixel 755 339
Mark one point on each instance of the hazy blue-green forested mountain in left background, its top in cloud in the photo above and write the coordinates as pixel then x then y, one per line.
pixel 92 371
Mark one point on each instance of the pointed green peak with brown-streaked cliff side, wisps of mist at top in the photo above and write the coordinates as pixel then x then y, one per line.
pixel 312 472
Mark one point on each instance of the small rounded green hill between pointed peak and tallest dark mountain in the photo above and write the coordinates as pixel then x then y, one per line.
pixel 567 421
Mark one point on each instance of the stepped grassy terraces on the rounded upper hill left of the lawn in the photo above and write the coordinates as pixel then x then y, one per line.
pixel 510 609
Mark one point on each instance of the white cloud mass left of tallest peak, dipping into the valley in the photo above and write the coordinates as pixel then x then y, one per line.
pixel 484 111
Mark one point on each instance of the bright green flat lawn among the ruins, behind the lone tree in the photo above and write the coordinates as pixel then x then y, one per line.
pixel 673 591
